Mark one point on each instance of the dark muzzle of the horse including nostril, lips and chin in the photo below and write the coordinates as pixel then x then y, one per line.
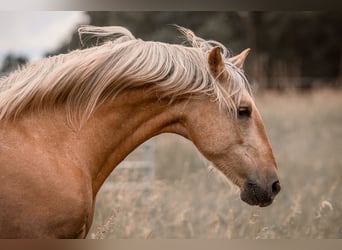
pixel 260 195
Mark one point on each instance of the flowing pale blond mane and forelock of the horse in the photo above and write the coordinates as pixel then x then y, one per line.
pixel 84 79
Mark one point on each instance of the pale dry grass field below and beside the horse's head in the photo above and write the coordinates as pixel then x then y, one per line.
pixel 188 200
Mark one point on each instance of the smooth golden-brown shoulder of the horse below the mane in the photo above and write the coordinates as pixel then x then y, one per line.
pixel 42 195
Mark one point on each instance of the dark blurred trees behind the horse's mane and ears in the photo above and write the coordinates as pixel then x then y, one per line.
pixel 289 49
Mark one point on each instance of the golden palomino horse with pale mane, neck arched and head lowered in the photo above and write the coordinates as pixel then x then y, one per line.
pixel 68 120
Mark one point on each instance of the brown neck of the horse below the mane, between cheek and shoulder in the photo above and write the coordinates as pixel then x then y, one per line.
pixel 121 125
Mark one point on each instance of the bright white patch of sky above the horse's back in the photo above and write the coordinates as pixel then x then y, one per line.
pixel 33 33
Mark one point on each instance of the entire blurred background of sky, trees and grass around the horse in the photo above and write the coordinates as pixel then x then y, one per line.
pixel 165 189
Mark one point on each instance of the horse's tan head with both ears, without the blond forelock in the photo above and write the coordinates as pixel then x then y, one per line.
pixel 236 142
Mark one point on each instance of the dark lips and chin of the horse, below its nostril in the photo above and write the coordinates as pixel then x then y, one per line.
pixel 255 195
